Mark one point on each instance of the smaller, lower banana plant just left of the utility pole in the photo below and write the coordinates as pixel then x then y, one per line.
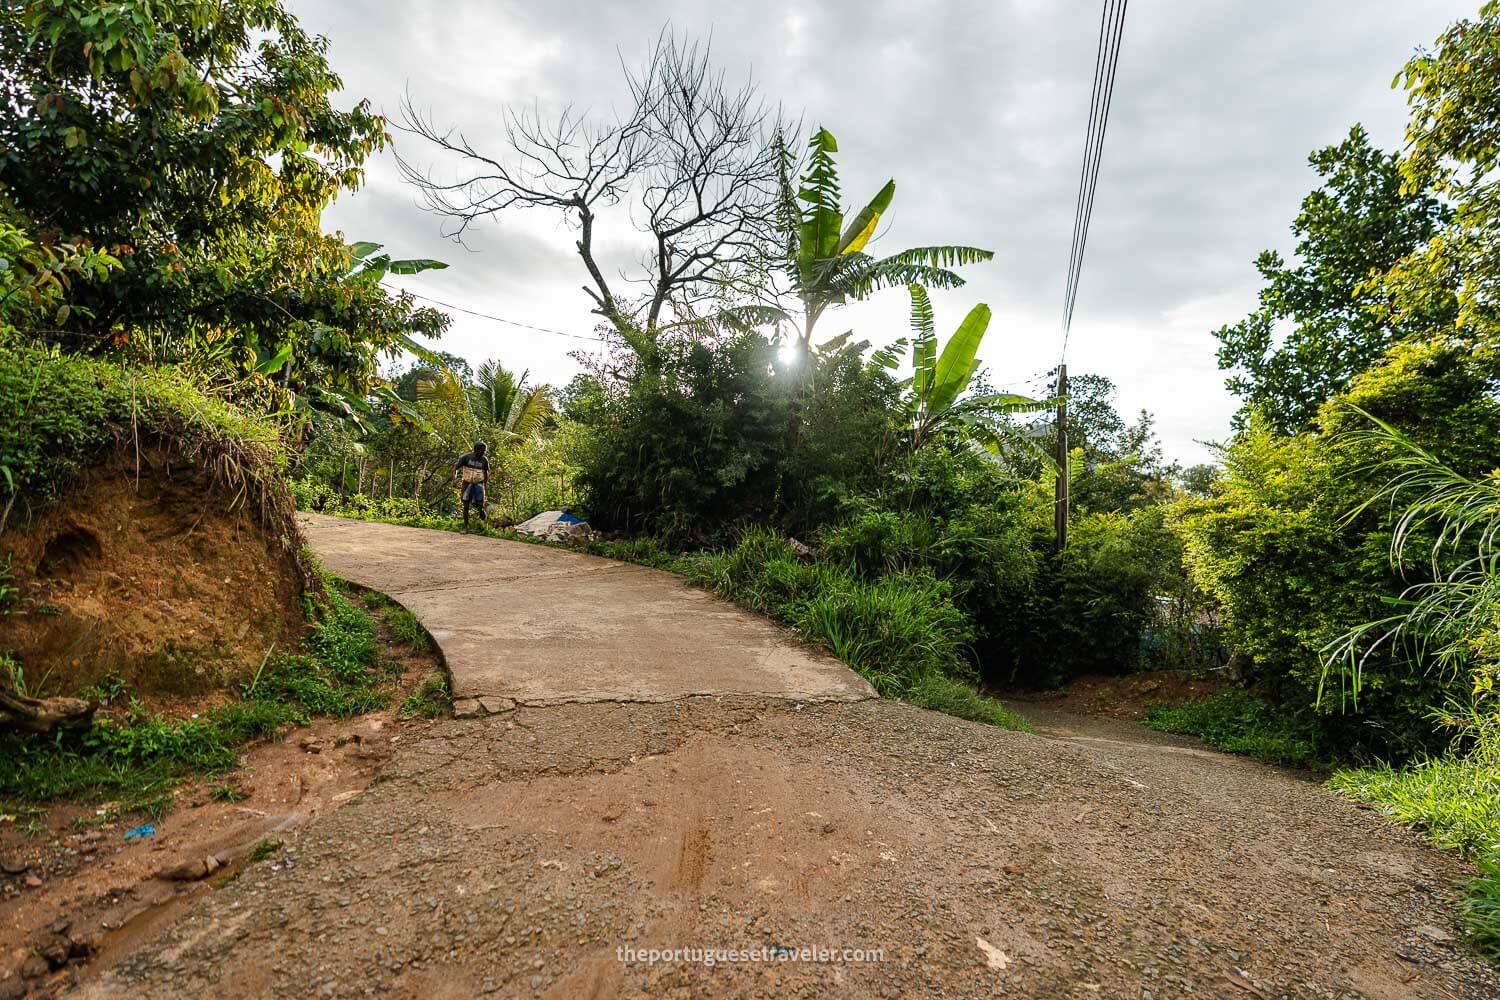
pixel 940 380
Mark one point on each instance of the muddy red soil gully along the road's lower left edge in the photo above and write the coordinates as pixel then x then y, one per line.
pixel 80 899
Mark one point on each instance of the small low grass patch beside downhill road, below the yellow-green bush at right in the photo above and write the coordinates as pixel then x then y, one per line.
pixel 1241 723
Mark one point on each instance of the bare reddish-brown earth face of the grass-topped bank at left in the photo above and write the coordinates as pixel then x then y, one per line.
pixel 155 576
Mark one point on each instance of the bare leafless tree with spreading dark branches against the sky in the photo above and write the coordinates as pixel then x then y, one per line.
pixel 694 158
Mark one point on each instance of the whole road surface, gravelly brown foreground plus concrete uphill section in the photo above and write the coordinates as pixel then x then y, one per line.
pixel 838 848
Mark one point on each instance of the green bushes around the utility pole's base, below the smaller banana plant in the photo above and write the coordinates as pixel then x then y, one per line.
pixel 1040 618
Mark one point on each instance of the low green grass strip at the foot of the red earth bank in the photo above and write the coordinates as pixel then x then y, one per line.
pixel 137 759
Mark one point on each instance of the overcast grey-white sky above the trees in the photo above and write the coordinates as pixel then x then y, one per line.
pixel 977 110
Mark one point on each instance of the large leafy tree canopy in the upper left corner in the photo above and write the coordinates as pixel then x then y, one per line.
pixel 196 140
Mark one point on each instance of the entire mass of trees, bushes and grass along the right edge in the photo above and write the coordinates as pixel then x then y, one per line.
pixel 1352 539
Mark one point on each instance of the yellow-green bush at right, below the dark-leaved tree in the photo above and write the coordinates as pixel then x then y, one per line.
pixel 1295 558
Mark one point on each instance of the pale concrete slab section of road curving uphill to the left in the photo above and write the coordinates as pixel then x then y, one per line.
pixel 542 626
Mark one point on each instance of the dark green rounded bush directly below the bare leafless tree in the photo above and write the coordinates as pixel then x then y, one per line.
pixel 710 436
